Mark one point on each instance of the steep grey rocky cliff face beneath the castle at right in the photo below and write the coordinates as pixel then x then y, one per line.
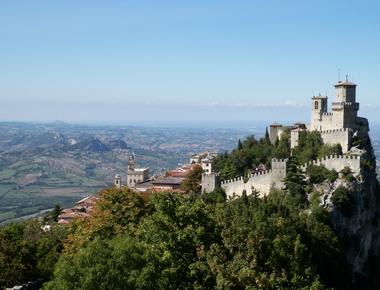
pixel 357 224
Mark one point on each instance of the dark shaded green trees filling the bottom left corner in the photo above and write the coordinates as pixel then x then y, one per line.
pixel 28 253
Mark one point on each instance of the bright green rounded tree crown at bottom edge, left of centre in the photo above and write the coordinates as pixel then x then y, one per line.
pixel 119 263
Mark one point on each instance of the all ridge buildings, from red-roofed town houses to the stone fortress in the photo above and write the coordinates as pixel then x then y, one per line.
pixel 340 126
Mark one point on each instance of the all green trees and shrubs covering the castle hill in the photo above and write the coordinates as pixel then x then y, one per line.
pixel 285 240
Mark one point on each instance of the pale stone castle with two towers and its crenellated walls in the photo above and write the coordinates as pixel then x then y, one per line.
pixel 338 126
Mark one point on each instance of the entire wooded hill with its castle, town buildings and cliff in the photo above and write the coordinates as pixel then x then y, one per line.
pixel 298 208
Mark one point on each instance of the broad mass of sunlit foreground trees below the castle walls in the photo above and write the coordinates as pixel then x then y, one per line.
pixel 169 241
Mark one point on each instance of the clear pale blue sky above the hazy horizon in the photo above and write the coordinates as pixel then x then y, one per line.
pixel 183 60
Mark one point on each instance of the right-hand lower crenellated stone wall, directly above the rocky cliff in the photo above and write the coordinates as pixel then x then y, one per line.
pixel 337 163
